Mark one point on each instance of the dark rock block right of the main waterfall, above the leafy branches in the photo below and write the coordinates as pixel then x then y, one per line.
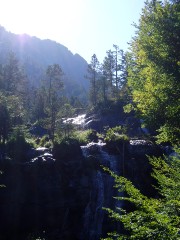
pixel 137 167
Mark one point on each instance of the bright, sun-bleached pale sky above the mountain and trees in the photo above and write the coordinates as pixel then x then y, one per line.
pixel 85 27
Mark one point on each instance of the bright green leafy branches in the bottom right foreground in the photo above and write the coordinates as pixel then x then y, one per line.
pixel 152 218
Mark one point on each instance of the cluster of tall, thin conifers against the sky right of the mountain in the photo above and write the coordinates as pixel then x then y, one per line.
pixel 109 78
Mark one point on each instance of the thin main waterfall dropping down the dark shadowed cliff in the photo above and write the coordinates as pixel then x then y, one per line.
pixel 102 191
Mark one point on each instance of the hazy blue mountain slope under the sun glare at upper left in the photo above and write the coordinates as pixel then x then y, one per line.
pixel 35 55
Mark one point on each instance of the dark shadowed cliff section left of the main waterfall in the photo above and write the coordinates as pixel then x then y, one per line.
pixel 44 195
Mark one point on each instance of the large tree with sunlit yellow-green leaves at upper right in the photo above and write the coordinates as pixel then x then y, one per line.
pixel 153 66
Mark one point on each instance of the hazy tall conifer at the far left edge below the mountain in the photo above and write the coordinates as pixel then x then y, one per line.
pixel 13 85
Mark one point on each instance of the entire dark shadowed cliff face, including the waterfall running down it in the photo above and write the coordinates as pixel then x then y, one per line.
pixel 61 197
